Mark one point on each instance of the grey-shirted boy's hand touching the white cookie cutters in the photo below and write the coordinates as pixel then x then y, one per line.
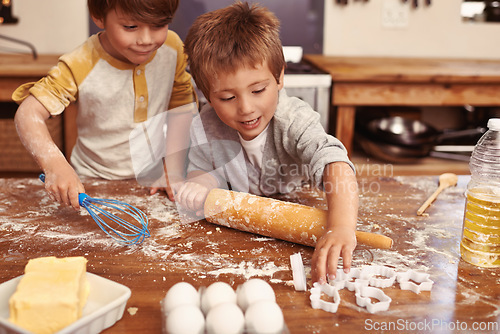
pixel 333 244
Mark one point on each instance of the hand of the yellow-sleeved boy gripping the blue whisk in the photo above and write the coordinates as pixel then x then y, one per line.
pixel 63 184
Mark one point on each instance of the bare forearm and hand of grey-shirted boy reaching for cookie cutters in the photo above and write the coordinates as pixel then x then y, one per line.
pixel 341 188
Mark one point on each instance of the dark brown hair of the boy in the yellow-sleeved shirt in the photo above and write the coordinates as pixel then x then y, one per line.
pixel 154 12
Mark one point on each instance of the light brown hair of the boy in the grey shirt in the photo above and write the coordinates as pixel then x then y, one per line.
pixel 229 38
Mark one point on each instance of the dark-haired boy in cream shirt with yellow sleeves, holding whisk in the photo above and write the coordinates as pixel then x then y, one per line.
pixel 131 71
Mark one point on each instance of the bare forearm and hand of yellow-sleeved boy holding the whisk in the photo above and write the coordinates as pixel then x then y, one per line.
pixel 61 181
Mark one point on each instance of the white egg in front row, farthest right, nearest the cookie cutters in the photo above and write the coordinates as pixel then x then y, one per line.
pixel 264 317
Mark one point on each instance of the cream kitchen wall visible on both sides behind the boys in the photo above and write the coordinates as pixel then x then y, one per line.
pixel 57 26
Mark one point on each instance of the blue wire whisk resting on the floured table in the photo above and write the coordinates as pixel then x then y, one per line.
pixel 124 231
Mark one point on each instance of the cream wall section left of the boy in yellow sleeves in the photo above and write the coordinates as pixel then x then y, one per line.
pixel 52 26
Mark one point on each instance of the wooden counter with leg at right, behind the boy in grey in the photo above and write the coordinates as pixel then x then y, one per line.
pixel 365 81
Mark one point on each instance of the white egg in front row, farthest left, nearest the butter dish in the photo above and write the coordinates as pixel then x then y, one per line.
pixel 185 319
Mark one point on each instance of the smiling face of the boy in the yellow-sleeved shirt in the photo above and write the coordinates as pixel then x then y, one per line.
pixel 128 40
